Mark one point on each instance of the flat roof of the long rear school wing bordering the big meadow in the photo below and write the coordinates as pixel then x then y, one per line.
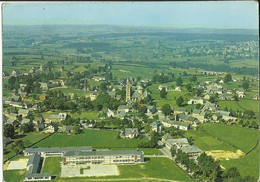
pixel 58 149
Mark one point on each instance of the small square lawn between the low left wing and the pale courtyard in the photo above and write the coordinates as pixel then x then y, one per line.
pixel 52 165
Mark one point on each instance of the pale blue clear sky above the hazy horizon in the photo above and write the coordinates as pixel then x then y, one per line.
pixel 236 14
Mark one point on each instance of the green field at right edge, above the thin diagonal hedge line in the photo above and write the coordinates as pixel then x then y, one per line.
pixel 242 138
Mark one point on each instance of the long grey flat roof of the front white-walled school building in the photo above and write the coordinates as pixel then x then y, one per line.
pixel 103 152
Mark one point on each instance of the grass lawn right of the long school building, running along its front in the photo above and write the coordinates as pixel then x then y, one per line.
pixel 160 168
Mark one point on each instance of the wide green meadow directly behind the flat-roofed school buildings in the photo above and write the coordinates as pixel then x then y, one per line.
pixel 94 138
